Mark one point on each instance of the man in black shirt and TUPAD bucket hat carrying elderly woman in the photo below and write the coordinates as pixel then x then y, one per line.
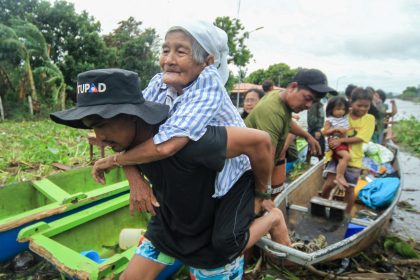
pixel 205 233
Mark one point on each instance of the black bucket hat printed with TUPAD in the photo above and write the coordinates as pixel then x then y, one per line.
pixel 108 93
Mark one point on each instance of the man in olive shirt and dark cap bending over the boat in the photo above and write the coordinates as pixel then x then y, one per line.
pixel 273 114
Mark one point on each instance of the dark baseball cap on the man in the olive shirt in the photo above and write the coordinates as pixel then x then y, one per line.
pixel 315 80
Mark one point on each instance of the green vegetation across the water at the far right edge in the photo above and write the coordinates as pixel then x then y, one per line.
pixel 407 133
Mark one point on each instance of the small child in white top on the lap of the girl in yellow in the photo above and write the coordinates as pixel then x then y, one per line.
pixel 336 126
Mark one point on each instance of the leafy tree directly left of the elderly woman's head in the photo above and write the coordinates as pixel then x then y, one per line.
pixel 136 49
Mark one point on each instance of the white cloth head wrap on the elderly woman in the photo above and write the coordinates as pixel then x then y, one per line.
pixel 213 40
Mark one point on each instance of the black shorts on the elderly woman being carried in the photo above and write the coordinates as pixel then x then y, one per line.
pixel 234 215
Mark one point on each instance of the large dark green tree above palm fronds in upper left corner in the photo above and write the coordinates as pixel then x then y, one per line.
pixel 73 40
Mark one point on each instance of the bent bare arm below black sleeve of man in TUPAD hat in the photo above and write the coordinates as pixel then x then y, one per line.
pixel 256 144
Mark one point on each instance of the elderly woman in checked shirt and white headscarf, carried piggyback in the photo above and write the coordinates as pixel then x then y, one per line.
pixel 194 70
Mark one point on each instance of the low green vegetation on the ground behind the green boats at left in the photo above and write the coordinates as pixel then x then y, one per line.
pixel 30 148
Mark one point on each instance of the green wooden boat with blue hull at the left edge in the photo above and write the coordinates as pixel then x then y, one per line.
pixel 22 204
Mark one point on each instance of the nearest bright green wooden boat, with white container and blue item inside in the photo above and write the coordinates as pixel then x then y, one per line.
pixel 96 228
